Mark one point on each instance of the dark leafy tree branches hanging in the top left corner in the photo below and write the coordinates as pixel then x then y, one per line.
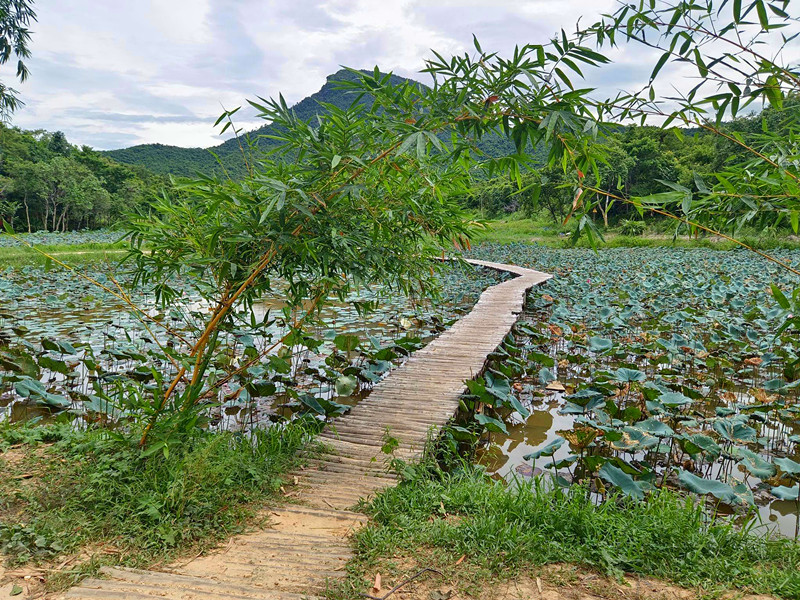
pixel 15 17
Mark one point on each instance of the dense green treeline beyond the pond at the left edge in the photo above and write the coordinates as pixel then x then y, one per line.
pixel 48 184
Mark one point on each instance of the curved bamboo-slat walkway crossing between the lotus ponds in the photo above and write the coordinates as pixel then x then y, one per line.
pixel 306 545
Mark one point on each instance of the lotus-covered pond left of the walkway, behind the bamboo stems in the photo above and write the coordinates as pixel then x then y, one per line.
pixel 70 349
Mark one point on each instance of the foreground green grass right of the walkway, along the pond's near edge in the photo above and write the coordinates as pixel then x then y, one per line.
pixel 505 530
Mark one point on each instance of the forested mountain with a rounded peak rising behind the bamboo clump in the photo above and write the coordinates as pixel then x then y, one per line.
pixel 160 158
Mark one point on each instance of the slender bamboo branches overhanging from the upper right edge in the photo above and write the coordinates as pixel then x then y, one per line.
pixel 735 47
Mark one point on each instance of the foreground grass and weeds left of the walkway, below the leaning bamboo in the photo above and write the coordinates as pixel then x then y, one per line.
pixel 63 491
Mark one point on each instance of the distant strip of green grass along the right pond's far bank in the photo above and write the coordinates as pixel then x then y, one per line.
pixel 542 230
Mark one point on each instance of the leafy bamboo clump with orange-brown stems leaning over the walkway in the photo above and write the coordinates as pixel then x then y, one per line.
pixel 355 197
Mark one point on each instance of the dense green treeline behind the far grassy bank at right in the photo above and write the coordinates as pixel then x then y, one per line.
pixel 638 162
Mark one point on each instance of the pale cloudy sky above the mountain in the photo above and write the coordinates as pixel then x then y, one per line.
pixel 116 73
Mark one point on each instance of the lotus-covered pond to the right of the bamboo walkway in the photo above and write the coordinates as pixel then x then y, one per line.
pixel 635 369
